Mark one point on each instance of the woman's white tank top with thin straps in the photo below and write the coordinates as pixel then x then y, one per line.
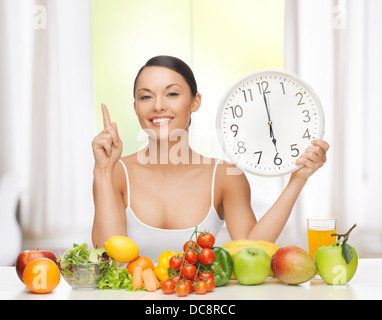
pixel 153 241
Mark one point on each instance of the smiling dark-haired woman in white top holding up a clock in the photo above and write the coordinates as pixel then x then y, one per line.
pixel 159 194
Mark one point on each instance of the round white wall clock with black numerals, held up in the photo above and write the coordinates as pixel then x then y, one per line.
pixel 266 120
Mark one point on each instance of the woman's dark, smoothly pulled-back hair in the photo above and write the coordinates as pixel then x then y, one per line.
pixel 174 64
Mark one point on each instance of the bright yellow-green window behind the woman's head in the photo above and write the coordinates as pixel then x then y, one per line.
pixel 221 40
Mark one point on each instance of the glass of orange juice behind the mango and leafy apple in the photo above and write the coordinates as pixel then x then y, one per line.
pixel 319 233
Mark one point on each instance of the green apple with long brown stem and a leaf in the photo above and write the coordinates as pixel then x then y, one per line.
pixel 332 266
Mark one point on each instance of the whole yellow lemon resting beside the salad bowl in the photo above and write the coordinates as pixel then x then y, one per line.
pixel 121 249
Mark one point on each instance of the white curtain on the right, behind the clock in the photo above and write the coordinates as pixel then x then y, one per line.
pixel 336 46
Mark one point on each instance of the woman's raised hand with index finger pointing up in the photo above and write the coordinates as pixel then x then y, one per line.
pixel 107 146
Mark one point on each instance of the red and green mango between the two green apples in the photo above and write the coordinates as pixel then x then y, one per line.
pixel 293 265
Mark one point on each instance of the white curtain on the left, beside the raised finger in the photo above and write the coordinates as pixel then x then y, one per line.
pixel 46 104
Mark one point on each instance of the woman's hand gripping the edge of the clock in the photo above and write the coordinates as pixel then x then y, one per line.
pixel 313 159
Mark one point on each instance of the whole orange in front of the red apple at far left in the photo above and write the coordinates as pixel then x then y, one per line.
pixel 41 275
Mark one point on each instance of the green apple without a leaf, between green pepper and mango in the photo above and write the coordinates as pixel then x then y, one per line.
pixel 251 265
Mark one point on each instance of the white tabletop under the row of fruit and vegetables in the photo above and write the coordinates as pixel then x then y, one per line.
pixel 366 284
